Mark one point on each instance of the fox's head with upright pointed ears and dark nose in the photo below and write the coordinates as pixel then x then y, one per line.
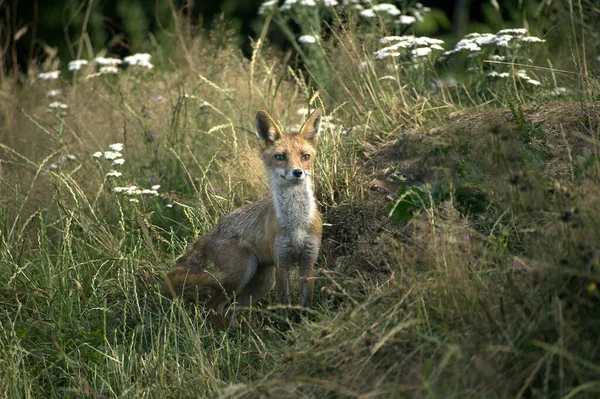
pixel 288 157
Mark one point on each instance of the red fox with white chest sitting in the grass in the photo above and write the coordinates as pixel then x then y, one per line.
pixel 255 247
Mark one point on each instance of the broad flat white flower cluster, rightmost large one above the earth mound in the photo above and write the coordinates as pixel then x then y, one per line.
pixel 506 38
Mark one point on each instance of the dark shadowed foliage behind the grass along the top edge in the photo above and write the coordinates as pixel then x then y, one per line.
pixel 32 30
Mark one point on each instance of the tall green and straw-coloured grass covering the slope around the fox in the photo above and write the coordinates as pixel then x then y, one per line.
pixel 486 286
